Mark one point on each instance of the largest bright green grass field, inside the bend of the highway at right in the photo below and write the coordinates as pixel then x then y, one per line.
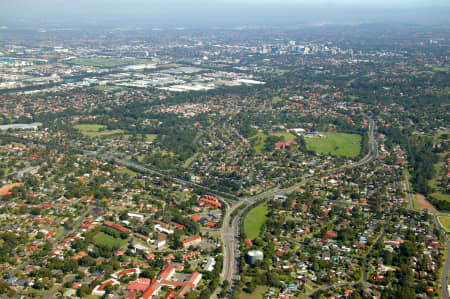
pixel 337 144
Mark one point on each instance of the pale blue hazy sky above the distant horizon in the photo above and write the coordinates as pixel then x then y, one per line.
pixel 223 12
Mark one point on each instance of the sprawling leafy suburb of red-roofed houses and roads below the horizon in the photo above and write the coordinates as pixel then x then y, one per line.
pixel 238 163
